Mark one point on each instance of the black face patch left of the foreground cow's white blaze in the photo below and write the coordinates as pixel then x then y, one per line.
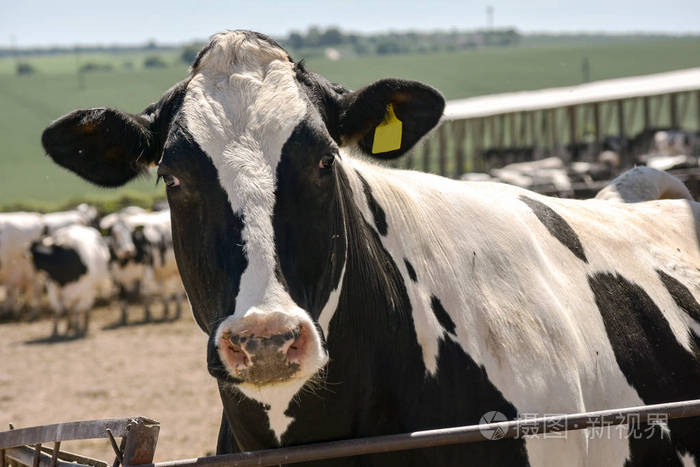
pixel 206 233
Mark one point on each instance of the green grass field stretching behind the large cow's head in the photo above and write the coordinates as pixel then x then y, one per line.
pixel 31 102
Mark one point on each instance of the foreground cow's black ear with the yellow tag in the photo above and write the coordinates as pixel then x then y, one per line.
pixel 388 117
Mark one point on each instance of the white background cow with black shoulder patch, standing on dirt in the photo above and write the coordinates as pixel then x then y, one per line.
pixel 75 261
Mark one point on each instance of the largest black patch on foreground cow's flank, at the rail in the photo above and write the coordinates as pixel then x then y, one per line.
pixel 650 357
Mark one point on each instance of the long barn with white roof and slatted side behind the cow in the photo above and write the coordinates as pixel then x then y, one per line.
pixel 575 123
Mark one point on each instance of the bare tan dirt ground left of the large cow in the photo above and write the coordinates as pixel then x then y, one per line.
pixel 152 370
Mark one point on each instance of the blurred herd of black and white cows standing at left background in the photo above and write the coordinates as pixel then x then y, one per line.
pixel 73 259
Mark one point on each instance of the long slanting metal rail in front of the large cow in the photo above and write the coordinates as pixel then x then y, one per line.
pixel 431 438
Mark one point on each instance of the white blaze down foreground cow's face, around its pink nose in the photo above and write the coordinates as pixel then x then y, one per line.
pixel 241 106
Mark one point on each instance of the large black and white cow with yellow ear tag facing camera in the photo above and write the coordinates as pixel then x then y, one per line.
pixel 344 299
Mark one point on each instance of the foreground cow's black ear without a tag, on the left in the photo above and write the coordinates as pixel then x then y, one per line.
pixel 104 146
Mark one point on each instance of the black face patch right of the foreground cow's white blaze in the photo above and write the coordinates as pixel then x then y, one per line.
pixel 308 225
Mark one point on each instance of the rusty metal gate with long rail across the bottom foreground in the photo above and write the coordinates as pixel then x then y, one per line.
pixel 139 437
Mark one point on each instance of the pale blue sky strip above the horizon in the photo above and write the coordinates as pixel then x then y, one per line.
pixel 70 22
